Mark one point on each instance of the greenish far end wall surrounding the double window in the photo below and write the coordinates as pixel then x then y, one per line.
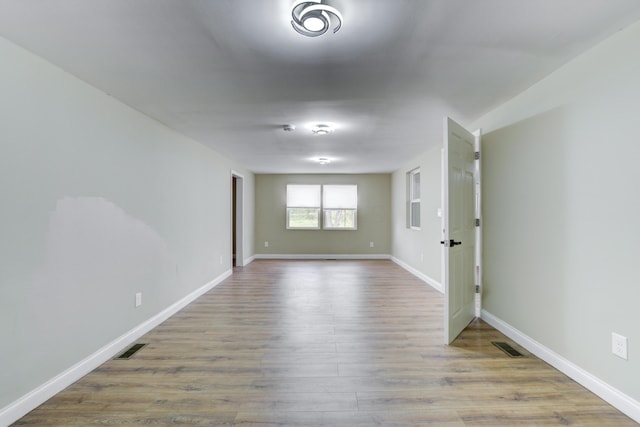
pixel 374 201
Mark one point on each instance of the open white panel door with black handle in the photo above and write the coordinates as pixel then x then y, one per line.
pixel 458 228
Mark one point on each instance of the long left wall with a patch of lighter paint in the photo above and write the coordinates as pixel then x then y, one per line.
pixel 98 203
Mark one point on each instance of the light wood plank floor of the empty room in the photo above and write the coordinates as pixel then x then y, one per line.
pixel 345 343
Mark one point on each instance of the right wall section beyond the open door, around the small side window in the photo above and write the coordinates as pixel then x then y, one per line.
pixel 420 249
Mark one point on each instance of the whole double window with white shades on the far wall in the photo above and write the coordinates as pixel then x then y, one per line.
pixel 338 203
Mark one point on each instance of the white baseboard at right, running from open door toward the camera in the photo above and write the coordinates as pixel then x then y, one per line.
pixel 613 396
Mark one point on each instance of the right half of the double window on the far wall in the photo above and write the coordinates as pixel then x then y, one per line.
pixel 339 207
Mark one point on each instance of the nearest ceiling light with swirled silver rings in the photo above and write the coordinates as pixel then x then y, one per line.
pixel 312 18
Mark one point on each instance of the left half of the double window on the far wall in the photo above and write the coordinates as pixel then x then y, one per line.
pixel 303 206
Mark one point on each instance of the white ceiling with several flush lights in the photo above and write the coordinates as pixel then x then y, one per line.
pixel 231 73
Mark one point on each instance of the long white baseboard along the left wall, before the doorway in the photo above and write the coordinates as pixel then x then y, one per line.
pixel 16 410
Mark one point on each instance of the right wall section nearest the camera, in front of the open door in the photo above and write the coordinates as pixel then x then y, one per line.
pixel 562 209
